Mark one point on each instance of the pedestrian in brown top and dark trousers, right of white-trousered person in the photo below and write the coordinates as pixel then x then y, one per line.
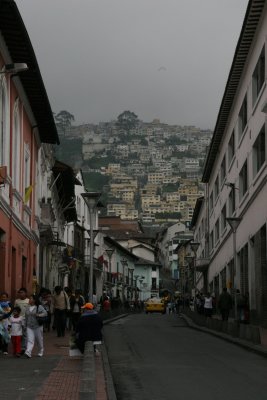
pixel 60 307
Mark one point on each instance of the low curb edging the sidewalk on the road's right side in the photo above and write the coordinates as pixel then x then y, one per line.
pixel 239 342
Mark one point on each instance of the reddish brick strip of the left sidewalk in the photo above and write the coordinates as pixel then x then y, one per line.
pixel 64 381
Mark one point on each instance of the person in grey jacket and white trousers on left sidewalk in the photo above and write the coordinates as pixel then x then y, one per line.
pixel 33 327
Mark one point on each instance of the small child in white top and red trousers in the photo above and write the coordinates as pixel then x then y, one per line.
pixel 17 323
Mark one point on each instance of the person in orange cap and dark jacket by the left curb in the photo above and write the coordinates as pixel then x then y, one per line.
pixel 89 327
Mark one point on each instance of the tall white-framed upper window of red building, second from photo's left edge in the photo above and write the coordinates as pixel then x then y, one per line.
pixel 16 168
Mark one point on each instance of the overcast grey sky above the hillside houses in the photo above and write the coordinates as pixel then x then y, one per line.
pixel 166 59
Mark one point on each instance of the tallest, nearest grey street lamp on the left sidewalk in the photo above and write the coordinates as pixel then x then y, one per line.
pixel 91 200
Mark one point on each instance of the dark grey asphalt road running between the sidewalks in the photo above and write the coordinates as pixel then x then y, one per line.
pixel 157 357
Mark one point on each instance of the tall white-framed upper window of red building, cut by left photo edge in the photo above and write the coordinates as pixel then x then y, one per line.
pixel 4 131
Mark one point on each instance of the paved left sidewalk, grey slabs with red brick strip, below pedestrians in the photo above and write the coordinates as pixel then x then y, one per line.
pixel 55 376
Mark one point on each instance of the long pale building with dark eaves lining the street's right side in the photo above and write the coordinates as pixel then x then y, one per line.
pixel 235 174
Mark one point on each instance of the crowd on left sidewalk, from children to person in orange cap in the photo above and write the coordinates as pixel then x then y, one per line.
pixel 23 323
